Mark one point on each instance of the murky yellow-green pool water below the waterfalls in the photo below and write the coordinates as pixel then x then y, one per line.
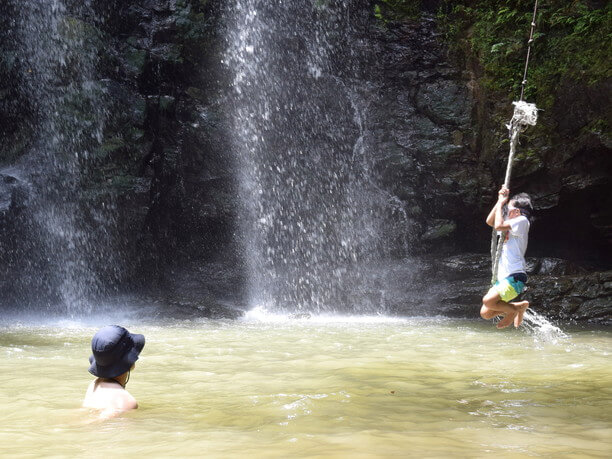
pixel 304 388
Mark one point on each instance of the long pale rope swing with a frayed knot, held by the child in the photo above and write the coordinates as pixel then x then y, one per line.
pixel 525 114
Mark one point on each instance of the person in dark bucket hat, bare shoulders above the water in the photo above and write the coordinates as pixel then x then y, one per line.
pixel 115 351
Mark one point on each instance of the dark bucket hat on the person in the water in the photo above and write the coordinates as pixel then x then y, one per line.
pixel 114 351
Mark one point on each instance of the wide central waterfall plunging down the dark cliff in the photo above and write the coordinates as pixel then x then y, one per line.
pixel 311 209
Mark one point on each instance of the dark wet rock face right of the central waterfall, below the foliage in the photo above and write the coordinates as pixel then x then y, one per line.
pixel 442 165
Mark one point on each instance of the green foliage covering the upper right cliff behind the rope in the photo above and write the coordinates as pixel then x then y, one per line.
pixel 569 72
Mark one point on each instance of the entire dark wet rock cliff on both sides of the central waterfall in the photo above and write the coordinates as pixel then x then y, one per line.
pixel 437 154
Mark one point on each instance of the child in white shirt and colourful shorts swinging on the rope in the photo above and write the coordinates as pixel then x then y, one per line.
pixel 511 275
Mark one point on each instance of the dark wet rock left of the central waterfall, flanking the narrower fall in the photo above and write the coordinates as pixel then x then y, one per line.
pixel 160 159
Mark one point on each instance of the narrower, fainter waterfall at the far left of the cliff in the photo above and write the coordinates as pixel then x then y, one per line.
pixel 65 235
